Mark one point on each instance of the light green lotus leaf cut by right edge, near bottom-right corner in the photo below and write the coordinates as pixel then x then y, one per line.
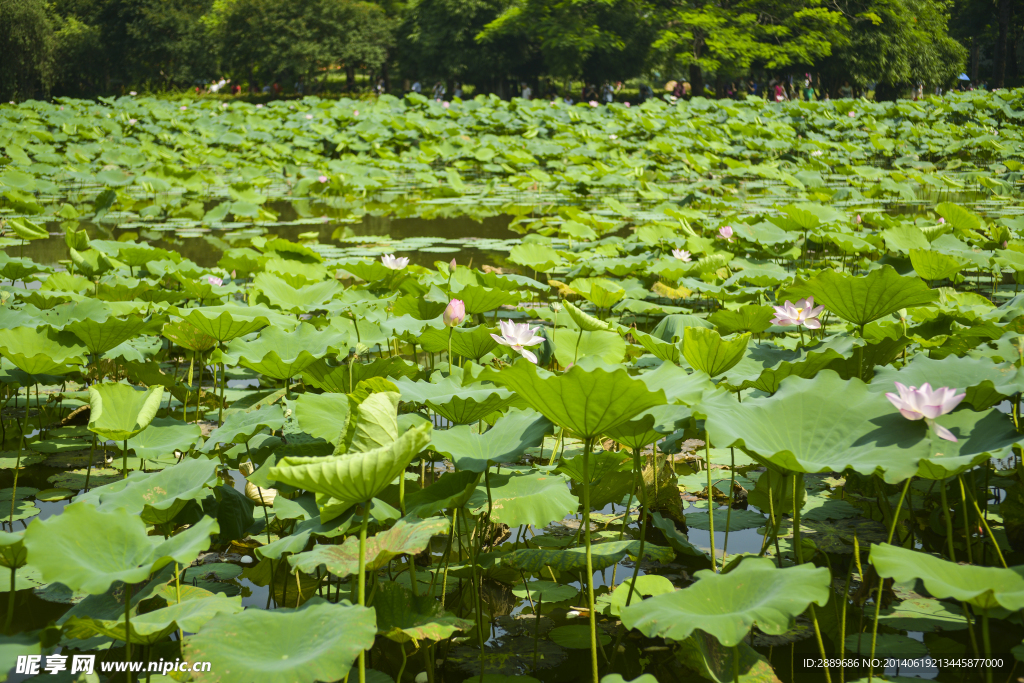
pixel 986 588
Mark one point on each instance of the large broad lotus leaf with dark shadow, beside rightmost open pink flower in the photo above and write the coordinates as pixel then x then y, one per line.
pixel 823 425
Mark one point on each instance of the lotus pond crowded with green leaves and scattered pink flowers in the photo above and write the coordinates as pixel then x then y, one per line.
pixel 389 391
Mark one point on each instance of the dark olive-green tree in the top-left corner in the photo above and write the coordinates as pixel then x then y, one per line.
pixel 26 50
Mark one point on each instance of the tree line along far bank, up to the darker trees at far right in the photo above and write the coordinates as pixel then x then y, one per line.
pixel 105 48
